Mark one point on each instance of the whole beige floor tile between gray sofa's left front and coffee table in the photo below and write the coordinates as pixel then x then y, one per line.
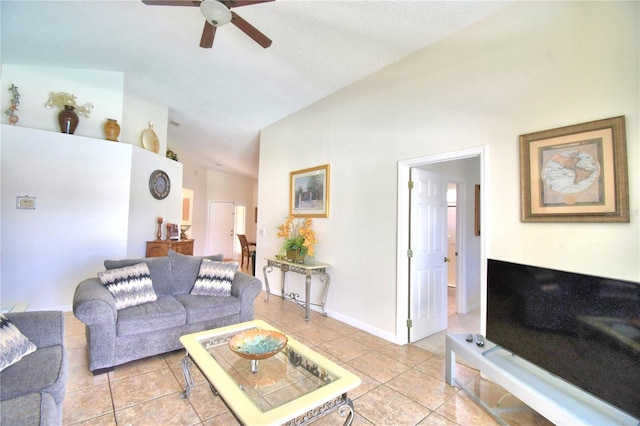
pixel 143 387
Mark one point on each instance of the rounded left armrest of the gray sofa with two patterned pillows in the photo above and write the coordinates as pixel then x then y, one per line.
pixel 93 303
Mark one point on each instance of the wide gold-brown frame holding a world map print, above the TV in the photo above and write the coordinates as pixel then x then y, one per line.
pixel 575 173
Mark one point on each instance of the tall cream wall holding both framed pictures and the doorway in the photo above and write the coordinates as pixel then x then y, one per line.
pixel 535 66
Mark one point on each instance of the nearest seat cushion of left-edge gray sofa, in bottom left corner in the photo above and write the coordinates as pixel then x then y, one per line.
pixel 32 409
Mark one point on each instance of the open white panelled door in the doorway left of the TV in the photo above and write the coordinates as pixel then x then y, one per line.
pixel 428 265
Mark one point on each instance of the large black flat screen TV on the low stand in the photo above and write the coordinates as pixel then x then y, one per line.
pixel 581 328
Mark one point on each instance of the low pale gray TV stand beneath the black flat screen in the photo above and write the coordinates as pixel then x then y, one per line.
pixel 557 400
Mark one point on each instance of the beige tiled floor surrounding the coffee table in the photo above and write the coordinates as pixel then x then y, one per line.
pixel 401 385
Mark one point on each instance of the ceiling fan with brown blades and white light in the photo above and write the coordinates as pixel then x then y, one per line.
pixel 217 13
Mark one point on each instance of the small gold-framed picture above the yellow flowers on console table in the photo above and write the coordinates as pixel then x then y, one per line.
pixel 309 192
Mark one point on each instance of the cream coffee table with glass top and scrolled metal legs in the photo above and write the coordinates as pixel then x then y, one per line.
pixel 295 386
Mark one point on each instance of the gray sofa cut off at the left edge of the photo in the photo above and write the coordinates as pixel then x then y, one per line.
pixel 32 389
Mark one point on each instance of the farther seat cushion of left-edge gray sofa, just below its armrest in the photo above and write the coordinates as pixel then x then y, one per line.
pixel 41 371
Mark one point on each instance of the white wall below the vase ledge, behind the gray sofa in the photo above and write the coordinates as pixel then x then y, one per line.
pixel 93 203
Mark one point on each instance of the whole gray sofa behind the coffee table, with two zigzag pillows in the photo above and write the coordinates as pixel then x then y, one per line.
pixel 115 337
